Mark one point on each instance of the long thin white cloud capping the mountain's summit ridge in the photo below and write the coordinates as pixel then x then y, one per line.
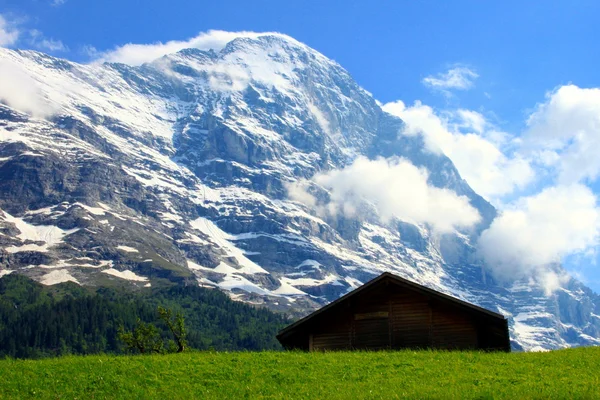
pixel 137 54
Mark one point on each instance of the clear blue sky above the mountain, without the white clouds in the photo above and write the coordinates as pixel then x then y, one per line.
pixel 520 51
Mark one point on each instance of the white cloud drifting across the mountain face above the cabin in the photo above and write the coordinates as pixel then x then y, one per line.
pixel 396 188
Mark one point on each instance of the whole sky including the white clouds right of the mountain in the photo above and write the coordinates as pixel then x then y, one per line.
pixel 513 58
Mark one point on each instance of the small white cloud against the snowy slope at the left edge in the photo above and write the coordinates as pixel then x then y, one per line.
pixel 21 92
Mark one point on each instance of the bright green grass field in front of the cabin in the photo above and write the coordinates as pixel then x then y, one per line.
pixel 564 374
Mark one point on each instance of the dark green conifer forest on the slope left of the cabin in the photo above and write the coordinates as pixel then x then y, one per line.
pixel 38 321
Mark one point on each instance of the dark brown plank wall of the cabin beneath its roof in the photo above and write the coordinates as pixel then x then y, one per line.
pixel 391 317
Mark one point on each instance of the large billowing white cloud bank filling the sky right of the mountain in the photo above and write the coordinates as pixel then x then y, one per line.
pixel 557 151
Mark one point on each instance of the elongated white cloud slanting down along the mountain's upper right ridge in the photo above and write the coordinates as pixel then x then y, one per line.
pixel 476 154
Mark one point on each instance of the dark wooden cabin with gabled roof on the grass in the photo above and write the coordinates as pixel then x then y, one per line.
pixel 390 312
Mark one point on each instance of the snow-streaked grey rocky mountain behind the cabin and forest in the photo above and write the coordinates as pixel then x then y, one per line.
pixel 177 171
